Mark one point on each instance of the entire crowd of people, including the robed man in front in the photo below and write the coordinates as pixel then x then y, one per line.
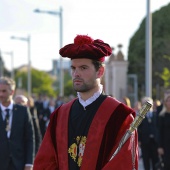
pixel 84 132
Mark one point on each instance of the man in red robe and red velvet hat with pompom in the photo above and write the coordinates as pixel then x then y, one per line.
pixel 84 133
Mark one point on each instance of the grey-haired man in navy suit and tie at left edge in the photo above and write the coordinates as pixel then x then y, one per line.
pixel 16 131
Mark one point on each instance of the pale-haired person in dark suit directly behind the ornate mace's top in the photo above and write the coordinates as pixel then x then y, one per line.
pixel 148 138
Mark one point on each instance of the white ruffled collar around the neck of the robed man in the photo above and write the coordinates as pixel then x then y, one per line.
pixel 92 98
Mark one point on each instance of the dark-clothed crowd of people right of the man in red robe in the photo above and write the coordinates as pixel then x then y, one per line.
pixel 153 132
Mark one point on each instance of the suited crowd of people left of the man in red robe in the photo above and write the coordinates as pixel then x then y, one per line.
pixel 22 125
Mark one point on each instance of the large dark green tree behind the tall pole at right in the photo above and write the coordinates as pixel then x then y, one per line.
pixel 160 48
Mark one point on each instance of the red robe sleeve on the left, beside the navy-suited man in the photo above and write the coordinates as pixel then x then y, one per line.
pixel 46 157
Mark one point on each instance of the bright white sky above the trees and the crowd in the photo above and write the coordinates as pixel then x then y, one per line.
pixel 114 22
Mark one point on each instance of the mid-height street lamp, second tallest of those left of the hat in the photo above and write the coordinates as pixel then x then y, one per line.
pixel 27 39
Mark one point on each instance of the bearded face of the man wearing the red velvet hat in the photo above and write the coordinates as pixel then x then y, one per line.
pixel 84 75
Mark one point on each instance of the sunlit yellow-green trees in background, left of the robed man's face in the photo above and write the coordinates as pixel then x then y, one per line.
pixel 42 82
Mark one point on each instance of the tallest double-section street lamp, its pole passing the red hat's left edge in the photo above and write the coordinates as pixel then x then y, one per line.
pixel 58 13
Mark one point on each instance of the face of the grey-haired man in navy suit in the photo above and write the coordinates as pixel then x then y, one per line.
pixel 5 94
